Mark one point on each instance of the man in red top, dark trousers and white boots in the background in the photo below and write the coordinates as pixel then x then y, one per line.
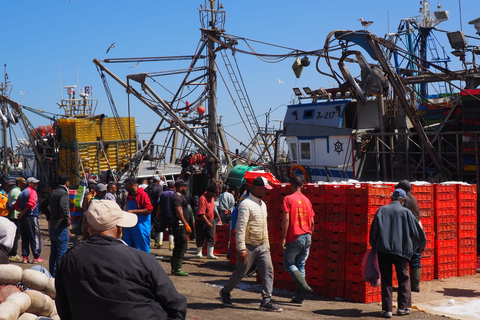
pixel 205 222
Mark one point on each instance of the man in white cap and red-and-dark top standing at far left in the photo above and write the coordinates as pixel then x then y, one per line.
pixel 27 204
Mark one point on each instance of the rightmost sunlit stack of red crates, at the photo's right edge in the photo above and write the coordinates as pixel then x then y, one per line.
pixel 467 229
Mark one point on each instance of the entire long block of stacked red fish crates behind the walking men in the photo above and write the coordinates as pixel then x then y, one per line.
pixel 344 214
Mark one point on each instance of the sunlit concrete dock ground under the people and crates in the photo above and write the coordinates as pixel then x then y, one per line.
pixel 455 298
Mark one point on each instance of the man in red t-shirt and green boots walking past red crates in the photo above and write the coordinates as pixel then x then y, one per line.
pixel 297 228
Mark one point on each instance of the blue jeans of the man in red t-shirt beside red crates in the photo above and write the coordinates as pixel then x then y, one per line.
pixel 296 253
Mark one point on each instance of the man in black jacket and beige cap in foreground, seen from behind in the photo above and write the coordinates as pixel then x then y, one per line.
pixel 103 278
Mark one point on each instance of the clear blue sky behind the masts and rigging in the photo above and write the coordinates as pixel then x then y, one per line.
pixel 40 38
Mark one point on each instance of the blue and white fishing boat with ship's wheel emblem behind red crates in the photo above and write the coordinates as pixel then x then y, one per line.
pixel 384 124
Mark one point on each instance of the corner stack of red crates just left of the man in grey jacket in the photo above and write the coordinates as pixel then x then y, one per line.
pixel 363 202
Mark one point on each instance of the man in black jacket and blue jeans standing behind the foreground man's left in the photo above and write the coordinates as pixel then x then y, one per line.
pixel 59 222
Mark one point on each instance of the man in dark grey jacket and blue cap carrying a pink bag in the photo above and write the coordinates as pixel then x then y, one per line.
pixel 394 234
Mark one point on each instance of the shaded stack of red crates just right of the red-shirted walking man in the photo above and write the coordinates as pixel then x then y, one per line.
pixel 334 240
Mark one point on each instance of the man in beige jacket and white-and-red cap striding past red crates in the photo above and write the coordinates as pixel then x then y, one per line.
pixel 253 246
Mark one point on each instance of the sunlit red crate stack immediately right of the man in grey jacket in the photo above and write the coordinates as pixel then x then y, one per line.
pixel 424 193
